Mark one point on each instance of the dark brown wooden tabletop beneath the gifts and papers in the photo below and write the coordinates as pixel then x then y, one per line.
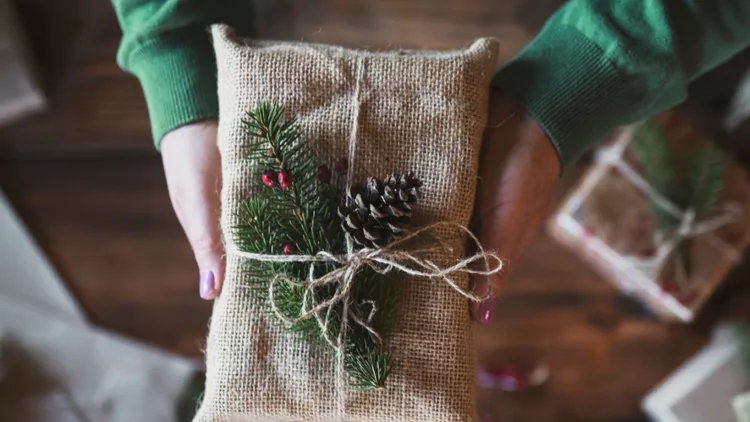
pixel 86 180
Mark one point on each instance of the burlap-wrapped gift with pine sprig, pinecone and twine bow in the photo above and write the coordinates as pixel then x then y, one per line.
pixel 283 216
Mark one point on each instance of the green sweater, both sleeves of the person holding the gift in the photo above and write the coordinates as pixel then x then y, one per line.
pixel 597 64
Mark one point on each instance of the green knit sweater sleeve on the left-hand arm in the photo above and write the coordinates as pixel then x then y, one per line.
pixel 167 46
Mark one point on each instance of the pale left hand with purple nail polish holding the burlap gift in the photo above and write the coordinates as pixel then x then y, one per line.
pixel 193 170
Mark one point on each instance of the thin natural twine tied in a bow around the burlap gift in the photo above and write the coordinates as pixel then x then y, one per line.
pixel 415 263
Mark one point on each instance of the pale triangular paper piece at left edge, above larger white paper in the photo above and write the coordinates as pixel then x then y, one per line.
pixel 25 273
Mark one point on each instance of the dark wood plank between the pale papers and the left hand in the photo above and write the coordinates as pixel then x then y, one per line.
pixel 108 226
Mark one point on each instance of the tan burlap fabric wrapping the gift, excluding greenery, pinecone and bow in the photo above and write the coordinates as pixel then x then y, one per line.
pixel 423 112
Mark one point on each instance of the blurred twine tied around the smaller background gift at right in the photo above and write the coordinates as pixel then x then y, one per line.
pixel 688 228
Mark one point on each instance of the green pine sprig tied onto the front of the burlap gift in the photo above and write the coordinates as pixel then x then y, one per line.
pixel 304 216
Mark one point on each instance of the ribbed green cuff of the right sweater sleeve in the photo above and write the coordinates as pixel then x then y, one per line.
pixel 565 82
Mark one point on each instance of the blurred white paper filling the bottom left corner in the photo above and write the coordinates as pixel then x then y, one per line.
pixel 107 378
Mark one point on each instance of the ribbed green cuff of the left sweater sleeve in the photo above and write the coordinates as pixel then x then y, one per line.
pixel 177 71
